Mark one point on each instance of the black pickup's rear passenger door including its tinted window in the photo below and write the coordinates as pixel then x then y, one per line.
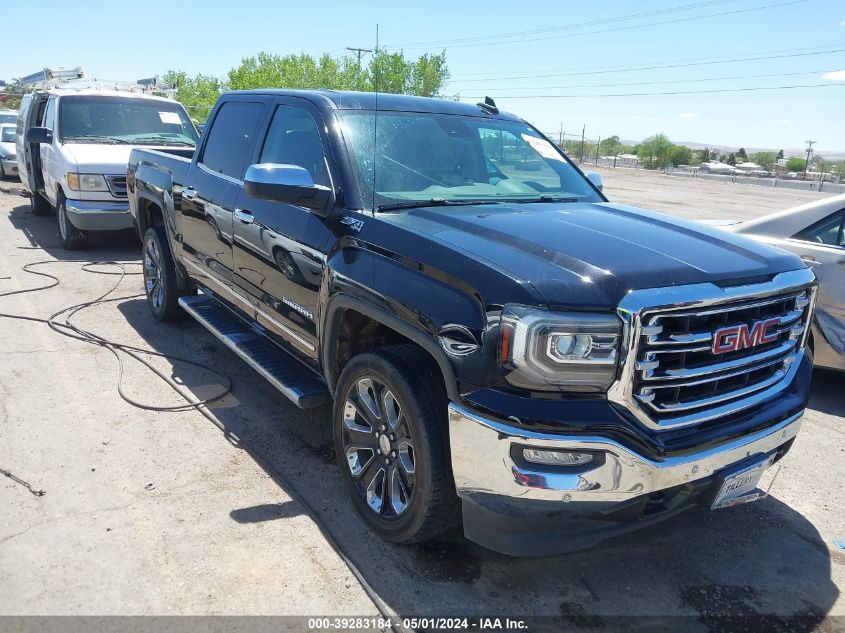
pixel 209 192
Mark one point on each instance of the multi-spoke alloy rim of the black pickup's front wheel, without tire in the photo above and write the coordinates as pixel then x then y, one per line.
pixel 379 448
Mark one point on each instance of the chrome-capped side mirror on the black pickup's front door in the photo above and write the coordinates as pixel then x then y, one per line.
pixel 290 184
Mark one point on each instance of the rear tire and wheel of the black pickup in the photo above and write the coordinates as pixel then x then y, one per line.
pixel 160 281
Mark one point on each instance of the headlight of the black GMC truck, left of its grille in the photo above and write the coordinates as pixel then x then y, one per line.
pixel 558 351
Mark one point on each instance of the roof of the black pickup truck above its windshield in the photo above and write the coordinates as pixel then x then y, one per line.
pixel 350 100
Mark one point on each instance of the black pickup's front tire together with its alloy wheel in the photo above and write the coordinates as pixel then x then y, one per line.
pixel 390 439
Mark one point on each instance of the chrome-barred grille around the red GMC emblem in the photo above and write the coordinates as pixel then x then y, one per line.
pixel 677 373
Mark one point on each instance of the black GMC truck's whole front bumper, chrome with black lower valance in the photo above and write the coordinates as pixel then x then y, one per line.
pixel 525 509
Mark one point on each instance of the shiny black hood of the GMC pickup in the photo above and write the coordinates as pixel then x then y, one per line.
pixel 592 254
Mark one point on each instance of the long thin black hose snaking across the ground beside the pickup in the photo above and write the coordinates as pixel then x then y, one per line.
pixel 65 327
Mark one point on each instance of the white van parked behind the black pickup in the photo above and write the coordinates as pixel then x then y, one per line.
pixel 73 147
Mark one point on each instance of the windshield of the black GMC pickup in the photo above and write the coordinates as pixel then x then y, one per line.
pixel 449 158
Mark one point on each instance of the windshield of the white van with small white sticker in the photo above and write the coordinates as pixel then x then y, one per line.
pixel 95 119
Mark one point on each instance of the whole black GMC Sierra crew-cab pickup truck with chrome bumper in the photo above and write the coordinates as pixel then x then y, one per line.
pixel 504 347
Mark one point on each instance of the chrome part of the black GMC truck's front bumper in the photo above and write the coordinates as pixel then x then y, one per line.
pixel 483 465
